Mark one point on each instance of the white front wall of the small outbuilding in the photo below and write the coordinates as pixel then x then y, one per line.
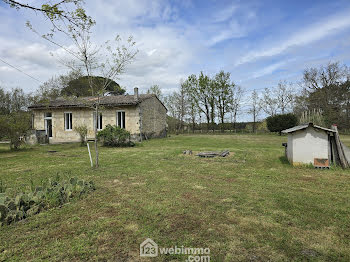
pixel 308 144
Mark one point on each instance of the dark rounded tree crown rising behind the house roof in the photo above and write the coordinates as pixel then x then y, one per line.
pixel 80 87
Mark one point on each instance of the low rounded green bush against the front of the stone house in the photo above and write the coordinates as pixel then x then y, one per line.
pixel 115 136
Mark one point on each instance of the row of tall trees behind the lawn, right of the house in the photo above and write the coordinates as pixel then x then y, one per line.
pixel 209 103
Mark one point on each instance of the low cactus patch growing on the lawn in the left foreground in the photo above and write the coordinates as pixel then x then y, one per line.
pixel 51 194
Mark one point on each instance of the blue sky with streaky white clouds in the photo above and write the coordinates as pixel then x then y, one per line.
pixel 258 42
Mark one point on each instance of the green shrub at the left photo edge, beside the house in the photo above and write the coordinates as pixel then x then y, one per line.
pixel 14 127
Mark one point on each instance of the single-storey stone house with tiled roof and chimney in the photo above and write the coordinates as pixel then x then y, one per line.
pixel 142 114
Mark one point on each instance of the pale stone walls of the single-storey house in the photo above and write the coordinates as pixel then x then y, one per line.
pixel 148 116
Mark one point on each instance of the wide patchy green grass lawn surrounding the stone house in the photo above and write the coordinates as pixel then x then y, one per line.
pixel 250 206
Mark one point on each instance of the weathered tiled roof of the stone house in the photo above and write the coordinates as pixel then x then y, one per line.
pixel 120 100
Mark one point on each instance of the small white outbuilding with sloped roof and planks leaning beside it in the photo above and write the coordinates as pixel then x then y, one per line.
pixel 312 144
